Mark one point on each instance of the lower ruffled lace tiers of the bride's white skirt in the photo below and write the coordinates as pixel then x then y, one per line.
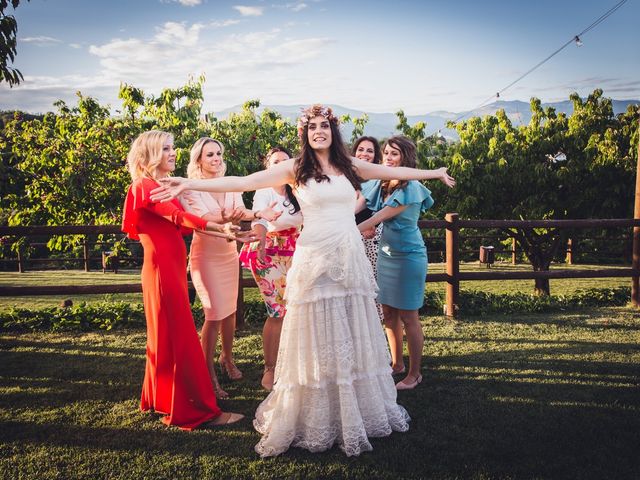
pixel 333 379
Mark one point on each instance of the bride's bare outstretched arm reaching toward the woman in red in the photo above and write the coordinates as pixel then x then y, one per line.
pixel 171 187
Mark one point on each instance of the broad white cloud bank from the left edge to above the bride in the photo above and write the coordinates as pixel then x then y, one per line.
pixel 272 65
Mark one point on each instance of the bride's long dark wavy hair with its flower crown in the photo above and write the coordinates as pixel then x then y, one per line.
pixel 307 165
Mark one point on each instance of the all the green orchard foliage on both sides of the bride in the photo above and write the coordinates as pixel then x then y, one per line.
pixel 68 167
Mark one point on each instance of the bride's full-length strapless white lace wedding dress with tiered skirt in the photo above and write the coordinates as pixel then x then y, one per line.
pixel 333 379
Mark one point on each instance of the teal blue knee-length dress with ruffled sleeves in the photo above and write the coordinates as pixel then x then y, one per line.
pixel 402 255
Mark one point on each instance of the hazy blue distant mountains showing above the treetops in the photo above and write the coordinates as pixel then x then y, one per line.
pixel 384 124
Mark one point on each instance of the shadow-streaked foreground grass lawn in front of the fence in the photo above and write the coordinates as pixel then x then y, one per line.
pixel 523 396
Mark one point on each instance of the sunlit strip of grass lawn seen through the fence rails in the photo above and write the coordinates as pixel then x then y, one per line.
pixel 77 277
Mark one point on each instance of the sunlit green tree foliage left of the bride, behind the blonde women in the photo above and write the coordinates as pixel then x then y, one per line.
pixel 69 167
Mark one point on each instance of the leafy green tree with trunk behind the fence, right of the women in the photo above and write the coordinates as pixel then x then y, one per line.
pixel 556 167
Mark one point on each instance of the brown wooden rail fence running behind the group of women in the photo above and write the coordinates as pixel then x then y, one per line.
pixel 452 276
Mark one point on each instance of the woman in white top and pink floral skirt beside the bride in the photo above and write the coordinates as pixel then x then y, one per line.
pixel 269 259
